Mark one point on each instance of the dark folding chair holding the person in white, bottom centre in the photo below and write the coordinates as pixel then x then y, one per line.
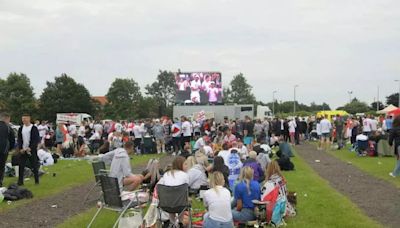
pixel 174 200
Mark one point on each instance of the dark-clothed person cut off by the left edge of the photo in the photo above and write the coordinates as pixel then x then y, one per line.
pixel 7 142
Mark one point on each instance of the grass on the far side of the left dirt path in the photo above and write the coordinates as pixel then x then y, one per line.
pixel 68 174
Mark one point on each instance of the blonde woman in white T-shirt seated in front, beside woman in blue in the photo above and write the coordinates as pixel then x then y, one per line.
pixel 217 201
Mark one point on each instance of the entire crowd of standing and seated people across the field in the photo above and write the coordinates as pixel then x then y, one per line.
pixel 233 159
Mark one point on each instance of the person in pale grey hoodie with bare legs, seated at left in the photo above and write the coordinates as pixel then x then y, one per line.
pixel 121 168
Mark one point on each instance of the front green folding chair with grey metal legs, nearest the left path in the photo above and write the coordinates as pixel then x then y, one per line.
pixel 112 199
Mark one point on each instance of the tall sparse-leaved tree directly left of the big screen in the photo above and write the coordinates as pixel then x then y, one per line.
pixel 163 90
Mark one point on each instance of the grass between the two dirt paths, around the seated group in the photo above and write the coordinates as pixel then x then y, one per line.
pixel 319 205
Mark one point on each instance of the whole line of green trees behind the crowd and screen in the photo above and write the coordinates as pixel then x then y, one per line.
pixel 126 101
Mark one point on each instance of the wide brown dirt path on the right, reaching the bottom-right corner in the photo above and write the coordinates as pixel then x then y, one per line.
pixel 377 198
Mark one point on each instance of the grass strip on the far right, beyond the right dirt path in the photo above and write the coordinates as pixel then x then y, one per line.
pixel 375 166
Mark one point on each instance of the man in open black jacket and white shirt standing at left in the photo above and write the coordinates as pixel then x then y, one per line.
pixel 28 140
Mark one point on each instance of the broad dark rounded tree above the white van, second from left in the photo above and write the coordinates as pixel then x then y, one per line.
pixel 64 95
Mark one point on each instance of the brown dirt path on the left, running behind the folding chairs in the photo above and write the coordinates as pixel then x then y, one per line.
pixel 40 213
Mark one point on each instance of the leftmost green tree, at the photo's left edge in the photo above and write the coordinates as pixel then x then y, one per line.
pixel 17 97
